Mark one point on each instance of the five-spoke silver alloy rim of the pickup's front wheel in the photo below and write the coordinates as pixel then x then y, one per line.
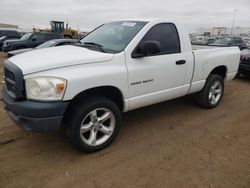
pixel 97 127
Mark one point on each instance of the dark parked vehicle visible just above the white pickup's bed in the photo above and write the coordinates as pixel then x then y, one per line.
pixel 230 41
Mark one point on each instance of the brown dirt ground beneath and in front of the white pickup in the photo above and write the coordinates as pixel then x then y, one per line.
pixel 172 144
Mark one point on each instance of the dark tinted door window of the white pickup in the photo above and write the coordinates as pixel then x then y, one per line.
pixel 166 34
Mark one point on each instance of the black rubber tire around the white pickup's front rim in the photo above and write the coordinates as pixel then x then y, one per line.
pixel 81 111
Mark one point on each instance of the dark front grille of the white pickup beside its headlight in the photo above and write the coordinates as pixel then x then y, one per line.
pixel 14 80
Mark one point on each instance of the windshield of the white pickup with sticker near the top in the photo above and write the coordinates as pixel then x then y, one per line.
pixel 113 37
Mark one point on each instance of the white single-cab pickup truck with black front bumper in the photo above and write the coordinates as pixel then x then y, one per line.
pixel 120 66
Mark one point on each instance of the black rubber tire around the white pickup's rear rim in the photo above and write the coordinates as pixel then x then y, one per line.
pixel 202 97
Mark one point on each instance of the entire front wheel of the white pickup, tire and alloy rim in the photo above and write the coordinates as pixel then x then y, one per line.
pixel 94 124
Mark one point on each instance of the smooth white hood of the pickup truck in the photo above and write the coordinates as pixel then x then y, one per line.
pixel 57 57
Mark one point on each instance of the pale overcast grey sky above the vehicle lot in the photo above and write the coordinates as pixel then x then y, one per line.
pixel 88 14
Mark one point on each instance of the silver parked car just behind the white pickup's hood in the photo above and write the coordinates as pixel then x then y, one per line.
pixel 50 43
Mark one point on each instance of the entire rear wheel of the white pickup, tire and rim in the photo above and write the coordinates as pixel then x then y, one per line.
pixel 212 93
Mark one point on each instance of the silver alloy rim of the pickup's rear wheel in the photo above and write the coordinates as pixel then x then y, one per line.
pixel 215 92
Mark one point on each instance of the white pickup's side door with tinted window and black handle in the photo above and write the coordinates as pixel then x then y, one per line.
pixel 161 76
